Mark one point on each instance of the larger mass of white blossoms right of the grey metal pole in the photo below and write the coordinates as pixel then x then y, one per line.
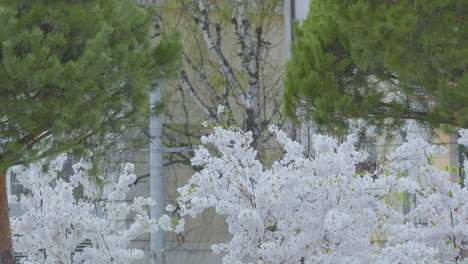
pixel 320 209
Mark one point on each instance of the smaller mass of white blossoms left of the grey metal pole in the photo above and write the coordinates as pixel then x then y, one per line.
pixel 60 214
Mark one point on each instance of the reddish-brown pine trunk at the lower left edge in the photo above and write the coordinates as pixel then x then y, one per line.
pixel 6 246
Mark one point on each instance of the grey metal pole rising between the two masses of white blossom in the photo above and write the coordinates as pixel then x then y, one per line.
pixel 156 176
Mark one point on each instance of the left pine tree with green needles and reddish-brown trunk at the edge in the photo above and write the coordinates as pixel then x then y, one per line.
pixel 71 73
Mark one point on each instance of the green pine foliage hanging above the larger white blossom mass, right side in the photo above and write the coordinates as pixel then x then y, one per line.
pixel 381 61
